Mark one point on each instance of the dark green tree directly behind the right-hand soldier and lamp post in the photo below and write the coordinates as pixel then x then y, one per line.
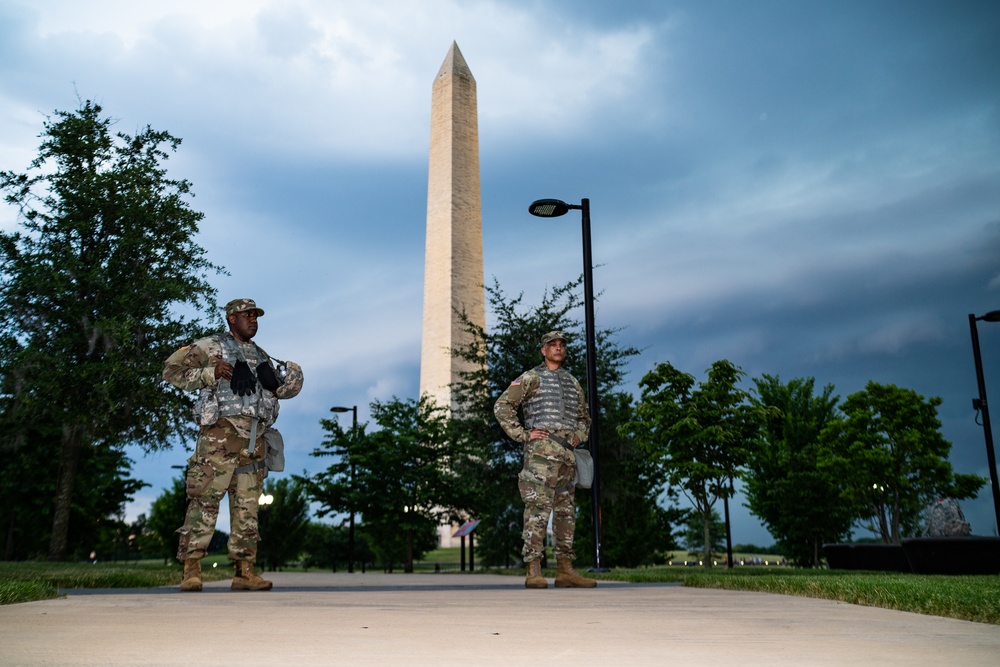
pixel 634 526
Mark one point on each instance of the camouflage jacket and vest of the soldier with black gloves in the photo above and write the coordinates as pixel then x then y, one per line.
pixel 192 368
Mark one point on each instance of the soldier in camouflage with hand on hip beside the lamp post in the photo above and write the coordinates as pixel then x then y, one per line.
pixel 556 421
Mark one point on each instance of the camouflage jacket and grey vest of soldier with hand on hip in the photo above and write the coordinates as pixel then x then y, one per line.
pixel 555 404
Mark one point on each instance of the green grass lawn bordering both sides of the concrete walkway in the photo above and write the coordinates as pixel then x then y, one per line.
pixel 971 598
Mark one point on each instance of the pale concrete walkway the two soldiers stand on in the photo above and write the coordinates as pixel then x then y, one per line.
pixel 401 620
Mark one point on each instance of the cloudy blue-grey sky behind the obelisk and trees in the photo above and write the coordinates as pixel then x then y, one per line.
pixel 805 189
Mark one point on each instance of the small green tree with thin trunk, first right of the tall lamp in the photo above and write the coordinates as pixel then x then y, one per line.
pixel 702 435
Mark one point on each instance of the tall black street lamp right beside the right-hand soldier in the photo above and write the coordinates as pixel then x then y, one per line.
pixel 553 208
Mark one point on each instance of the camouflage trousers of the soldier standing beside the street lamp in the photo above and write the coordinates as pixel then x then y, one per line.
pixel 546 487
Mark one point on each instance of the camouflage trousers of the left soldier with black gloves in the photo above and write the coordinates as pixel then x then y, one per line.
pixel 210 476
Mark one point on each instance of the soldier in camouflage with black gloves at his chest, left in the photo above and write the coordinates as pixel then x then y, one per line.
pixel 239 387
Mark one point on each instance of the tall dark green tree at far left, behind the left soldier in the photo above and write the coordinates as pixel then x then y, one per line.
pixel 105 252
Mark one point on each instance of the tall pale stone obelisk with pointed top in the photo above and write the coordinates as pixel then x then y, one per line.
pixel 453 265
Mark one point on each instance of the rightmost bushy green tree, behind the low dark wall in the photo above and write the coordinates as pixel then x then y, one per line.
pixel 892 460
